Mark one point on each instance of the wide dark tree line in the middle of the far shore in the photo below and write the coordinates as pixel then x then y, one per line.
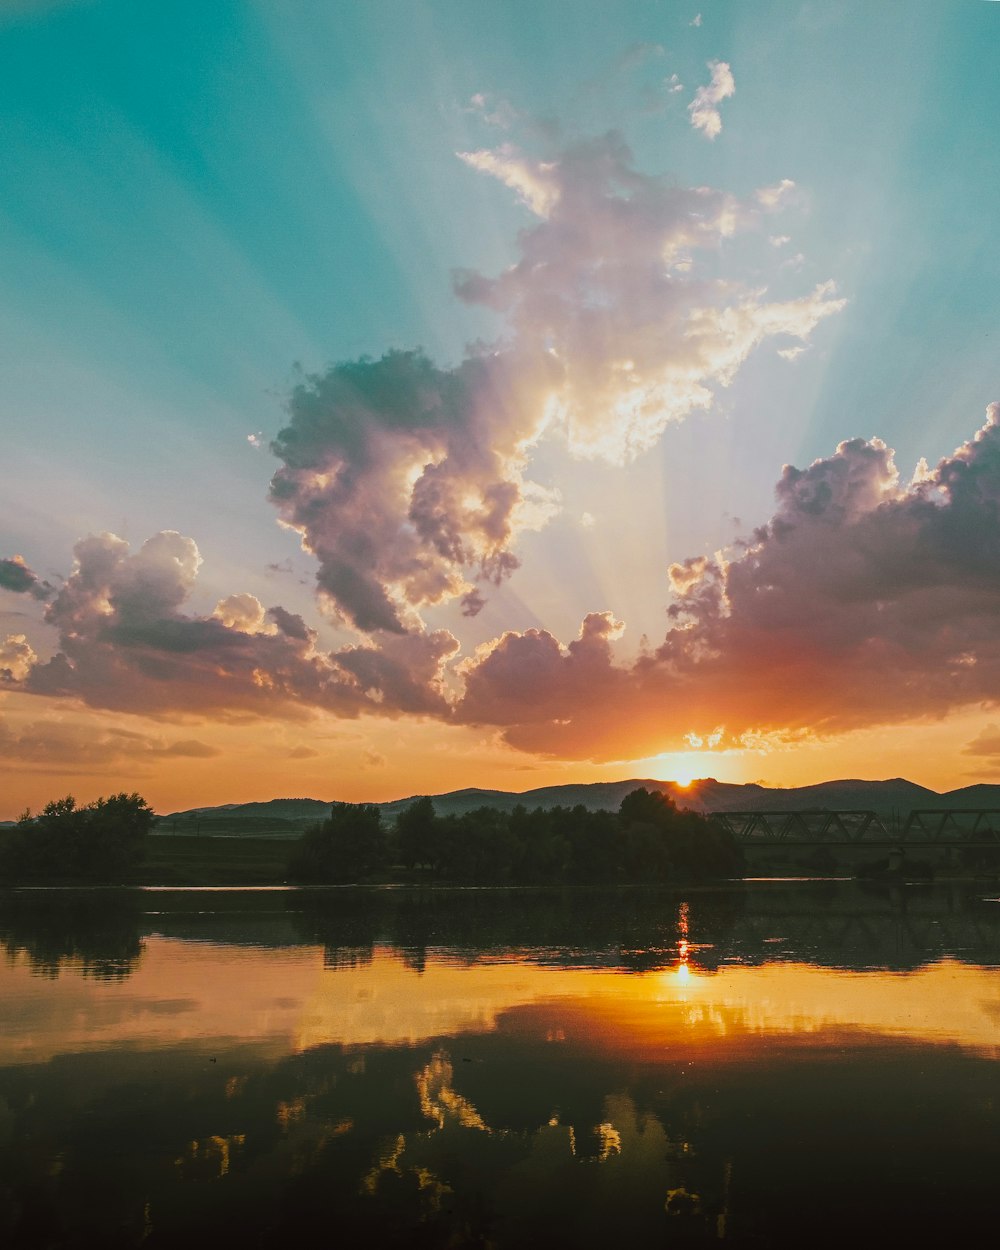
pixel 648 839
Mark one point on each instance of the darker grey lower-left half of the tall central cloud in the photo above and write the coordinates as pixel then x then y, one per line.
pixel 406 479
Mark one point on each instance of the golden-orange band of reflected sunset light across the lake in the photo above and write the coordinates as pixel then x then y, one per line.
pixel 293 1003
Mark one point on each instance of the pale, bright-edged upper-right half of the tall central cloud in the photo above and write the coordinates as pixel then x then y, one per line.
pixel 608 282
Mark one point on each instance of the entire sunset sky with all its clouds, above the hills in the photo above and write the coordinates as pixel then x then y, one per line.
pixel 406 397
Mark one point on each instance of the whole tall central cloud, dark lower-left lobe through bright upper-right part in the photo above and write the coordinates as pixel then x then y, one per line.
pixel 411 482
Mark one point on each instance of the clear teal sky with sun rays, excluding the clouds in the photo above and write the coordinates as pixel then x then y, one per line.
pixel 198 199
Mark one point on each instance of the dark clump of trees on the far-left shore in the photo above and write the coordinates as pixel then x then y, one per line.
pixel 101 841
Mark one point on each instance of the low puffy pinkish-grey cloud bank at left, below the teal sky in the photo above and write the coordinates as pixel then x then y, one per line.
pixel 127 644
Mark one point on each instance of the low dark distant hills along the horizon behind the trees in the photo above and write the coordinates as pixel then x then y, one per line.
pixel 288 818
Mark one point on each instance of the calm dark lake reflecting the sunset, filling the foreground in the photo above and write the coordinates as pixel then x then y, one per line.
pixel 762 1064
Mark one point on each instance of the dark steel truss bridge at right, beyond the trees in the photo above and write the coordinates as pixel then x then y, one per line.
pixel 926 827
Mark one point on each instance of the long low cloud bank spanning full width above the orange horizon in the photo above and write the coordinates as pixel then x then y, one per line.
pixel 863 601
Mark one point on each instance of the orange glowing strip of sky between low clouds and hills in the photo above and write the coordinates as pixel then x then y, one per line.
pixel 374 761
